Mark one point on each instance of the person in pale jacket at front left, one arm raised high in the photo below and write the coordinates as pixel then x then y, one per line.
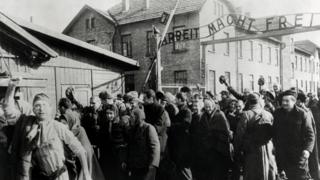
pixel 38 143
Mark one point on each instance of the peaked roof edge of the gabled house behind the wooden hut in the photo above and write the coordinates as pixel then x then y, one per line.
pixel 104 14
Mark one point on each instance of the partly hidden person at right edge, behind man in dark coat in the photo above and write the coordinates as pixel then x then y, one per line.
pixel 314 158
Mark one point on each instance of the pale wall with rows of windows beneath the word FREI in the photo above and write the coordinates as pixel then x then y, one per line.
pixel 250 63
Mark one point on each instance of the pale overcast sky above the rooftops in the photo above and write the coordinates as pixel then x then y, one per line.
pixel 56 14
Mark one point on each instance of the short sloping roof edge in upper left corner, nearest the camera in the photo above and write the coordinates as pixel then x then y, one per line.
pixel 8 22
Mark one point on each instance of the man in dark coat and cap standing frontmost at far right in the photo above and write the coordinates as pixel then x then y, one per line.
pixel 294 138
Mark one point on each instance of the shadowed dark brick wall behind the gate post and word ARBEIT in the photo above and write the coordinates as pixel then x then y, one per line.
pixel 172 60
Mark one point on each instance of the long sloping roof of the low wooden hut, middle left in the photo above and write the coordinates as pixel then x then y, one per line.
pixel 78 43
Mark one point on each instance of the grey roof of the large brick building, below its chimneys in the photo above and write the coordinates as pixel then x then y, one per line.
pixel 137 12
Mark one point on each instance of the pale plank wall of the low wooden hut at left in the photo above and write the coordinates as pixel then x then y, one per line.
pixel 85 74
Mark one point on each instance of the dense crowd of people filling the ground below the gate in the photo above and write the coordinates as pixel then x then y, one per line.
pixel 266 135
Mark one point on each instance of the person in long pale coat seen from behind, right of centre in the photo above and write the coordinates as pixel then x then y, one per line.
pixel 253 140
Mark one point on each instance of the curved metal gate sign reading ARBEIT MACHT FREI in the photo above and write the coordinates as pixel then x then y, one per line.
pixel 248 24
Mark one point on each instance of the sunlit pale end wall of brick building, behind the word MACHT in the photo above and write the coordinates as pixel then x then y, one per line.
pixel 216 61
